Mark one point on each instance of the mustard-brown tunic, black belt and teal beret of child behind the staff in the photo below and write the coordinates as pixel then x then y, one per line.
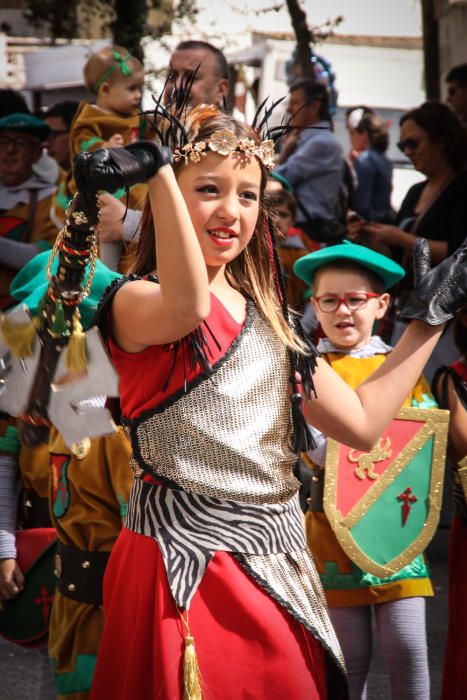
pixel 87 489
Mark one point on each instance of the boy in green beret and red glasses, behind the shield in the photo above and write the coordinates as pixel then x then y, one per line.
pixel 349 284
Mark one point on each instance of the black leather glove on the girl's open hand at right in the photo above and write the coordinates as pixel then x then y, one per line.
pixel 439 292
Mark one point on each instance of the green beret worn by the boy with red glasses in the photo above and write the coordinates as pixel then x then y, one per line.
pixel 388 270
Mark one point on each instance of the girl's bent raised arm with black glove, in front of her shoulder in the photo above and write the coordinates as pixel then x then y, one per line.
pixel 145 313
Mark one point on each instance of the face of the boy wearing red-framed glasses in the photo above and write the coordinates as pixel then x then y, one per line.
pixel 344 327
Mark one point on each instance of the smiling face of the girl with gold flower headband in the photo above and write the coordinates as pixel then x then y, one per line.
pixel 222 194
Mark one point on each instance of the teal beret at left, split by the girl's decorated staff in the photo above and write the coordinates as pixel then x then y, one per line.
pixel 30 285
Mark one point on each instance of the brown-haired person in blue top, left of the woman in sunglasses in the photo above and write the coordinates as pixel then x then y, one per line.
pixel 372 196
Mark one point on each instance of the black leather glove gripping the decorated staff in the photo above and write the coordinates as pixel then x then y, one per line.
pixel 113 168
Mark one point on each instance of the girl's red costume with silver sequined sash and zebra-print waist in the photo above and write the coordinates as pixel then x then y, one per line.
pixel 226 545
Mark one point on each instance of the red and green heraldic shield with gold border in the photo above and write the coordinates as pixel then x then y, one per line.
pixel 384 505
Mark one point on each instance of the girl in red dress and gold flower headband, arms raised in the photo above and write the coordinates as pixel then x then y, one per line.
pixel 210 590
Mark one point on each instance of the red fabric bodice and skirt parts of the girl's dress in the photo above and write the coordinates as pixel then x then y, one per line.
pixel 248 645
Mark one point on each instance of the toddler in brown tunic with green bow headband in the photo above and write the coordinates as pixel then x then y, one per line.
pixel 116 79
